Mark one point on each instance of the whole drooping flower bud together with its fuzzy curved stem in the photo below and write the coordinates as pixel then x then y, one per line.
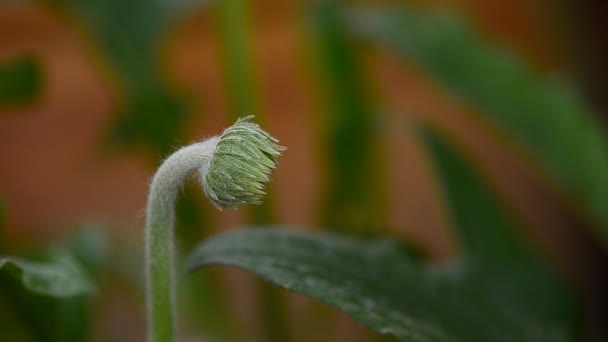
pixel 233 169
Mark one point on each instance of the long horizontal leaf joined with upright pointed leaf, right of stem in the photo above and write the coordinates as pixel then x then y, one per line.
pixel 498 291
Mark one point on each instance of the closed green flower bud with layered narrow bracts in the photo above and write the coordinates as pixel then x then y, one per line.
pixel 242 162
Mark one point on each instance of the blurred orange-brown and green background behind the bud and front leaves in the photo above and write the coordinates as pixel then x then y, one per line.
pixel 94 93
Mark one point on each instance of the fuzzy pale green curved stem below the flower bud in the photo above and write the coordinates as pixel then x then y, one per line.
pixel 159 235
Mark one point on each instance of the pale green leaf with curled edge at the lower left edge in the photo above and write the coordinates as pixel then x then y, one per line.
pixel 61 276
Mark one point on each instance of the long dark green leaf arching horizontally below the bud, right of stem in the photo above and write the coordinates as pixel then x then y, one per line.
pixel 378 284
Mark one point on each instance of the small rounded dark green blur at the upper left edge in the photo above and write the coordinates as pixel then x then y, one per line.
pixel 20 80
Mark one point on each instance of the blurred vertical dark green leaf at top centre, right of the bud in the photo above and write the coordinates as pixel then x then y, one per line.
pixel 351 200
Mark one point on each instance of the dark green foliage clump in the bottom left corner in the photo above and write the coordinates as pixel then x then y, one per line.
pixel 49 296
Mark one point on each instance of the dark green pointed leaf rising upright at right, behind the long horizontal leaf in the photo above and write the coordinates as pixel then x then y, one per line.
pixel 490 239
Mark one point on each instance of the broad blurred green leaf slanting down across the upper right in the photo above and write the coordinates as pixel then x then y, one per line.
pixel 545 118
